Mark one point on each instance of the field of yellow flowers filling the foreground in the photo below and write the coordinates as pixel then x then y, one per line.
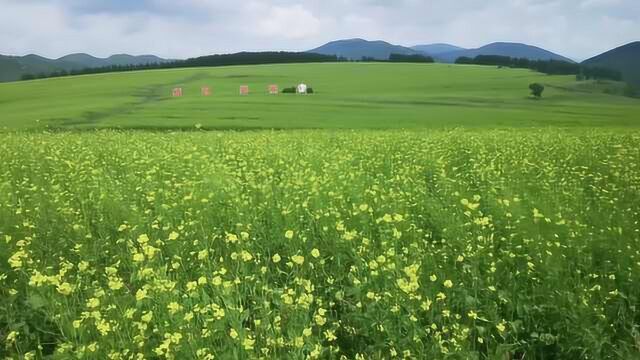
pixel 499 244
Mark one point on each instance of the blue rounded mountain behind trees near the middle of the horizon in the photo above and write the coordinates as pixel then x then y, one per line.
pixel 356 49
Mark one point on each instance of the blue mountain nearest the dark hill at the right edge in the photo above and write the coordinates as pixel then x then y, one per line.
pixel 515 50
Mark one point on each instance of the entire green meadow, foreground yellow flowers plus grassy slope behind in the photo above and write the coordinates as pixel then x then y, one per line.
pixel 400 212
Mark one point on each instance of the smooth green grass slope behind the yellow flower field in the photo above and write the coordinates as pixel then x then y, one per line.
pixel 348 96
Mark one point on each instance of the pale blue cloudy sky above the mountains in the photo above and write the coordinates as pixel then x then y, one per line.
pixel 176 29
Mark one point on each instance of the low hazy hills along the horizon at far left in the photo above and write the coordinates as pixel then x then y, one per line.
pixel 13 67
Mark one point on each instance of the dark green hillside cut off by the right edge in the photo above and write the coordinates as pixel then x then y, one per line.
pixel 625 59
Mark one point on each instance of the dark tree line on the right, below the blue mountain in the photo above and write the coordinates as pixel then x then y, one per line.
pixel 551 67
